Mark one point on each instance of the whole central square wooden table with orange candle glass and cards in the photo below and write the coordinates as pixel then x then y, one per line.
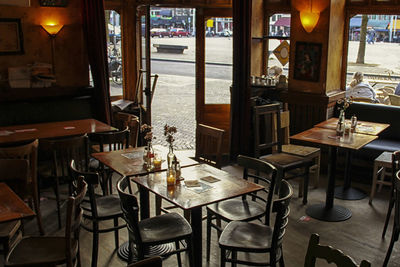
pixel 187 198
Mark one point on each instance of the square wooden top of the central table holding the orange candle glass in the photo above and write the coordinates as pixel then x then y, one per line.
pixel 228 186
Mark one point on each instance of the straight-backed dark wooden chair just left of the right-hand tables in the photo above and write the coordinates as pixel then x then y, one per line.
pixel 269 148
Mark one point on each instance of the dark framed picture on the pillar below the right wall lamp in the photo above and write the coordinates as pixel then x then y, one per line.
pixel 307 62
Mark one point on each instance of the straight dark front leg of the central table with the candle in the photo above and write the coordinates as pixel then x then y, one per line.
pixel 197 229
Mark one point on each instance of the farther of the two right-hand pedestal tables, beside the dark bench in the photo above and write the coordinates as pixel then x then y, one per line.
pixel 363 127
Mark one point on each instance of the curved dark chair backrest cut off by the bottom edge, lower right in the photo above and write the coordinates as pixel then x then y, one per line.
pixel 330 254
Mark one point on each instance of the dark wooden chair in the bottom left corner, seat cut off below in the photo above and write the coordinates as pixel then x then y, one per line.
pixel 52 251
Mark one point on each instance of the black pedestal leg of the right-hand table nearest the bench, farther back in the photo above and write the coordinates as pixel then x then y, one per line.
pixel 347 192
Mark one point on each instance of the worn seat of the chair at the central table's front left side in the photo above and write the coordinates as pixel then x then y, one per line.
pixel 164 227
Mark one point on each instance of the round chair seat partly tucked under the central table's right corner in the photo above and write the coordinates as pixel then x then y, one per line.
pixel 238 209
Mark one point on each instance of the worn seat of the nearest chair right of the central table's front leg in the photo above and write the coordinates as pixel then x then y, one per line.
pixel 245 236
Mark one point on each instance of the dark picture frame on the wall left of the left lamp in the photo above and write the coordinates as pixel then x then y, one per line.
pixel 11 38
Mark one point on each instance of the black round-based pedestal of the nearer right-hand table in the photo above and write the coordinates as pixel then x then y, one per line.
pixel 329 212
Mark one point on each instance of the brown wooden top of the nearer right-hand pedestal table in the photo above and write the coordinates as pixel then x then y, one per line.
pixel 328 137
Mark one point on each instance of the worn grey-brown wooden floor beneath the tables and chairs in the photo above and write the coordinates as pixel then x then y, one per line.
pixel 360 236
